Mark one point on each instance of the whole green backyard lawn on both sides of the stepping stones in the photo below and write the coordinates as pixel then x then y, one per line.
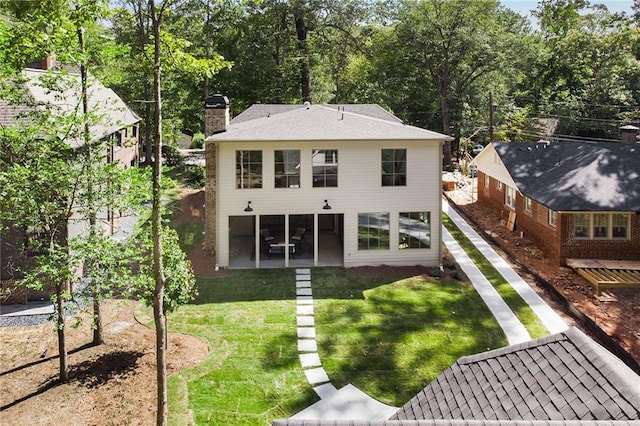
pixel 389 337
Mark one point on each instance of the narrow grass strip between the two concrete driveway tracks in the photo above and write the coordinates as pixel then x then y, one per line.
pixel 522 310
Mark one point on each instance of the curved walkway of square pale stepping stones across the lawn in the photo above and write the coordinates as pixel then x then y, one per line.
pixel 307 346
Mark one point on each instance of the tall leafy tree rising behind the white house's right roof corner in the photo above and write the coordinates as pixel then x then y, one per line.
pixel 456 42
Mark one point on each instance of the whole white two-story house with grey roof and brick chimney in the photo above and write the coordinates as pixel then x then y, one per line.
pixel 310 185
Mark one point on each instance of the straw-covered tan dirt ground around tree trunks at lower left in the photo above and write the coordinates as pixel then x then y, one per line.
pixel 110 384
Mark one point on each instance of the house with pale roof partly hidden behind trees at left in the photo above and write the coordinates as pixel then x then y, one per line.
pixel 59 92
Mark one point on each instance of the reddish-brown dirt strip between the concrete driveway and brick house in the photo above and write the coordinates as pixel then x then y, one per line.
pixel 619 317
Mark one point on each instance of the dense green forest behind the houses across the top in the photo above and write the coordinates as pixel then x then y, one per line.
pixel 472 69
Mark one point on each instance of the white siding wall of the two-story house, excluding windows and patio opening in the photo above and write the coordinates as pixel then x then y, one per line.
pixel 359 191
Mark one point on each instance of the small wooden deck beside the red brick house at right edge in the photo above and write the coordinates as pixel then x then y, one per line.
pixel 604 274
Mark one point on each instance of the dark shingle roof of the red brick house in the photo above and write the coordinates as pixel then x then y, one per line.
pixel 575 176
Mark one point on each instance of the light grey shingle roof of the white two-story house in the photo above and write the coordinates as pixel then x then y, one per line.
pixel 323 123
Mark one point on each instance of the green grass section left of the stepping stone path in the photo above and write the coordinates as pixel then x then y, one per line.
pixel 252 374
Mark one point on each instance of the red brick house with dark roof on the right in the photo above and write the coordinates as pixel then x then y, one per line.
pixel 574 200
